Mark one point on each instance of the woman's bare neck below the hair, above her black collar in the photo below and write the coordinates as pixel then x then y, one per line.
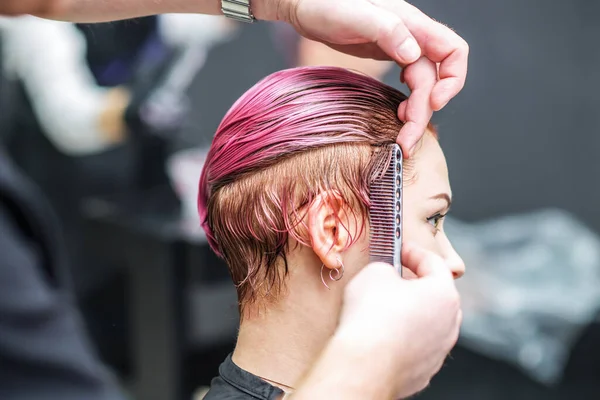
pixel 281 342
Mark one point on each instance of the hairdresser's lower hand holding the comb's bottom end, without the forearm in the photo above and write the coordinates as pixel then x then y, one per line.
pixel 406 326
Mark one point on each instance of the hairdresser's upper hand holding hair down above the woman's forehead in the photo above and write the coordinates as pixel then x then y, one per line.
pixel 387 30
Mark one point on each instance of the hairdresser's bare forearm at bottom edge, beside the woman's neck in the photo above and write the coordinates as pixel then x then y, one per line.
pixel 347 371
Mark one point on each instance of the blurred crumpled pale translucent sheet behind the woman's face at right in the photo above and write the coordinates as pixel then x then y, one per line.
pixel 532 289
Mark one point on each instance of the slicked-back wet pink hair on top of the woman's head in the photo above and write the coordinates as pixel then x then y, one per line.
pixel 292 111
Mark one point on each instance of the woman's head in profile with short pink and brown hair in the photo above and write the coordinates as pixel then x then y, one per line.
pixel 285 187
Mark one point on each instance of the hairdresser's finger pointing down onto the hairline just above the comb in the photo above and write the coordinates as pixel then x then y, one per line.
pixel 420 77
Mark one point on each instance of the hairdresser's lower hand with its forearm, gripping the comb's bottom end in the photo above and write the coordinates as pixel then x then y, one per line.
pixel 394 335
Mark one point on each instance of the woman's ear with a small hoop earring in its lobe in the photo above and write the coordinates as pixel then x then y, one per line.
pixel 328 227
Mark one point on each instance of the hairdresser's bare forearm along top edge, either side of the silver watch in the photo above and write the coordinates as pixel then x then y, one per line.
pixel 110 10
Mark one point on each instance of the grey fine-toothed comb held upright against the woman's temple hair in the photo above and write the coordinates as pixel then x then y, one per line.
pixel 385 213
